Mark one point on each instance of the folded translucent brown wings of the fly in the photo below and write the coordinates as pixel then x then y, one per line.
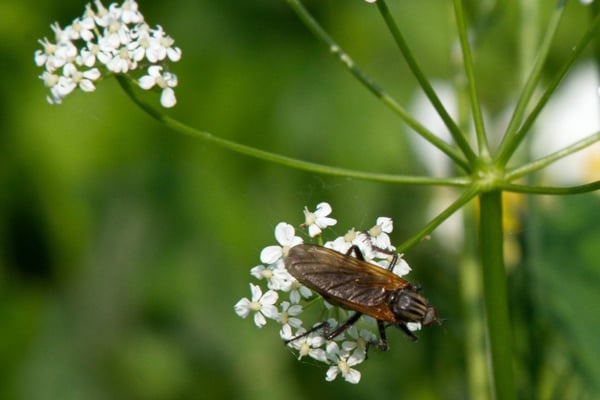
pixel 344 280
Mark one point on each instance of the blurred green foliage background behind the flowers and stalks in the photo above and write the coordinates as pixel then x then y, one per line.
pixel 123 246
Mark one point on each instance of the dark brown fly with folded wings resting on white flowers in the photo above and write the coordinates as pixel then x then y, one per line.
pixel 355 284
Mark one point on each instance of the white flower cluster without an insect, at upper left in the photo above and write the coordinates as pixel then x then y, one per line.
pixel 103 41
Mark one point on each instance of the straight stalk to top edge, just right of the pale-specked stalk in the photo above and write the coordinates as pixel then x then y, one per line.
pixel 457 134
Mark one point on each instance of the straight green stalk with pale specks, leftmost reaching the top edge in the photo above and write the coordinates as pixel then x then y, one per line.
pixel 388 100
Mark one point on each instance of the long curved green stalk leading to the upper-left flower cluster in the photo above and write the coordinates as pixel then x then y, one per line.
pixel 277 158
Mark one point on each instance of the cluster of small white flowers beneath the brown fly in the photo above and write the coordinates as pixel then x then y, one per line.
pixel 283 298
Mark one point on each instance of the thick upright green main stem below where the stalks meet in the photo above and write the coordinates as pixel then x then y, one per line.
pixel 495 295
